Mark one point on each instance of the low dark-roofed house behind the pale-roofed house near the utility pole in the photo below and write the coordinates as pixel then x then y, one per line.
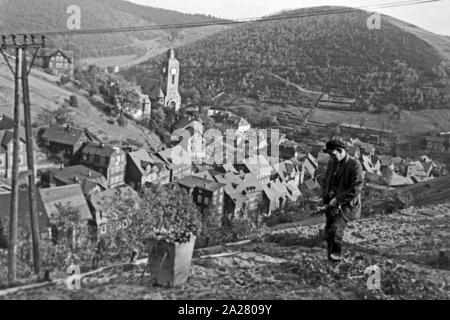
pixel 90 180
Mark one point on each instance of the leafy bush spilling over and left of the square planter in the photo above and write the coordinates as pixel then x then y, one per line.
pixel 161 214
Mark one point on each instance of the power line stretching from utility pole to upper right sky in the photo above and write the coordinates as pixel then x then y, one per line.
pixel 232 22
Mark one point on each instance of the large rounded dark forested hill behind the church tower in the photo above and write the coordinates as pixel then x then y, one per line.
pixel 336 53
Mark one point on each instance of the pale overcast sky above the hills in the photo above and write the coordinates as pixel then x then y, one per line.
pixel 434 17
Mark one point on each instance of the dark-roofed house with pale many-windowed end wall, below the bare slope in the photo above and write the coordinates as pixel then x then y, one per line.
pixel 106 159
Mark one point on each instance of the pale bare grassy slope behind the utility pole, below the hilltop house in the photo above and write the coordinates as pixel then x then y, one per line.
pixel 47 96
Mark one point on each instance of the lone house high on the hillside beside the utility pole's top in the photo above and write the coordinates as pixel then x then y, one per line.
pixel 58 61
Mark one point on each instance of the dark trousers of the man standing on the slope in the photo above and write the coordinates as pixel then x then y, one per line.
pixel 334 231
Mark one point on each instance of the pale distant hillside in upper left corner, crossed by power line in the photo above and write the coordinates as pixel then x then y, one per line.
pixel 18 16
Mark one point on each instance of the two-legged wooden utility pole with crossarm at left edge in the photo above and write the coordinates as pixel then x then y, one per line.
pixel 21 73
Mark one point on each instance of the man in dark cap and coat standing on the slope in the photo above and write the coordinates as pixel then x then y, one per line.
pixel 341 196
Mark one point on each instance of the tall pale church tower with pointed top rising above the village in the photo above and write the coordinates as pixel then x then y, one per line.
pixel 173 98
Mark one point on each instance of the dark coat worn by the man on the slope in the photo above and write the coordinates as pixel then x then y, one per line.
pixel 349 186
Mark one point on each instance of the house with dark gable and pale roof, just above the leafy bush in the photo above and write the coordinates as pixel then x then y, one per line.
pixel 143 168
